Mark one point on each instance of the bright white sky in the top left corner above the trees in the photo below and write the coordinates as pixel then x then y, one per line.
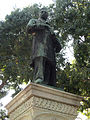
pixel 6 6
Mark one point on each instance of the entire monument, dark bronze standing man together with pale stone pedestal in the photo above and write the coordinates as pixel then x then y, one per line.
pixel 37 101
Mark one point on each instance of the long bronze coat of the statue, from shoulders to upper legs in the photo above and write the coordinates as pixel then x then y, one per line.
pixel 44 42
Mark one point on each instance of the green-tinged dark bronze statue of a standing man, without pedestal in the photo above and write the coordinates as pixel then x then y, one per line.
pixel 44 46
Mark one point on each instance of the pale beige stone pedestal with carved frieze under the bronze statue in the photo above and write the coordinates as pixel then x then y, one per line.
pixel 37 102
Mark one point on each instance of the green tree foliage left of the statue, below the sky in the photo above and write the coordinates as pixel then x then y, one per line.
pixel 15 47
